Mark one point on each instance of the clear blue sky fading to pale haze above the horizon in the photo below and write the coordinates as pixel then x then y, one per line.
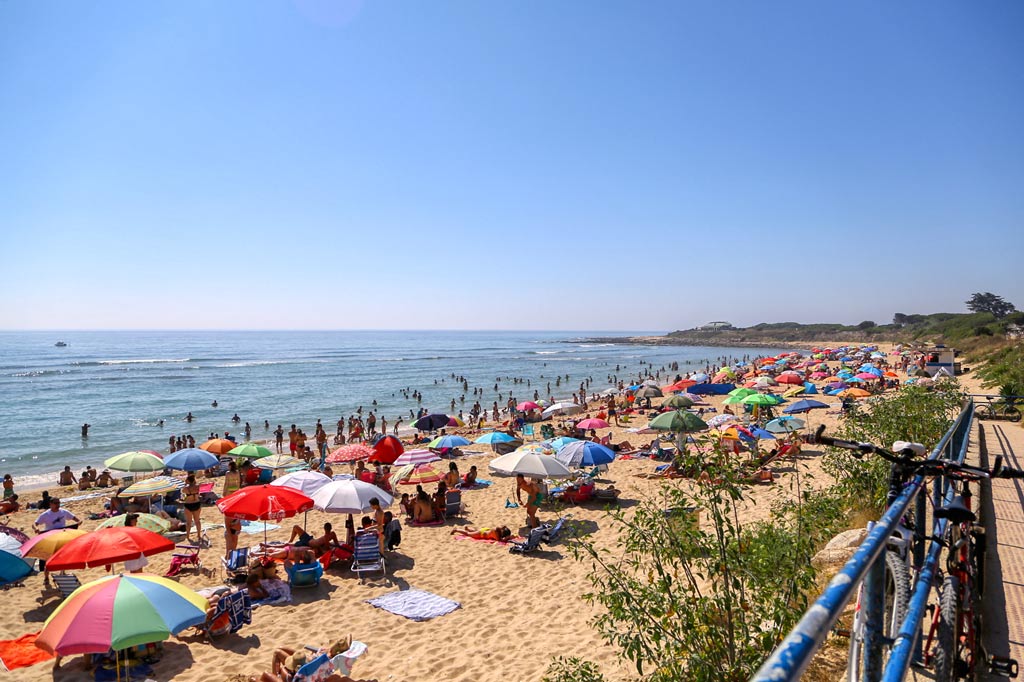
pixel 506 165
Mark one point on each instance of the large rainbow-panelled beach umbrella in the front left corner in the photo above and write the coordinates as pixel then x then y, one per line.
pixel 120 612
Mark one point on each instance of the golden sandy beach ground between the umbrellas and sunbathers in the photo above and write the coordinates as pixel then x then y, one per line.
pixel 518 613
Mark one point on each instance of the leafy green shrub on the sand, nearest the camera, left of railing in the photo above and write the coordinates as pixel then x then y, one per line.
pixel 703 603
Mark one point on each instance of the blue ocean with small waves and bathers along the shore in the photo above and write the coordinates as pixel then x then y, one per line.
pixel 123 383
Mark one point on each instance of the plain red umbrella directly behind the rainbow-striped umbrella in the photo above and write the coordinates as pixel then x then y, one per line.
pixel 107 546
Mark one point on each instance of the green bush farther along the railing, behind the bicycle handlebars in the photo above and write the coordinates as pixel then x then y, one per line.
pixel 918 414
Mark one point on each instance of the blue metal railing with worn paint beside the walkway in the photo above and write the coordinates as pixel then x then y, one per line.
pixel 791 659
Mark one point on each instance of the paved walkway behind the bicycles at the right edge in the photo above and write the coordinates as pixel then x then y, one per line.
pixel 1003 514
